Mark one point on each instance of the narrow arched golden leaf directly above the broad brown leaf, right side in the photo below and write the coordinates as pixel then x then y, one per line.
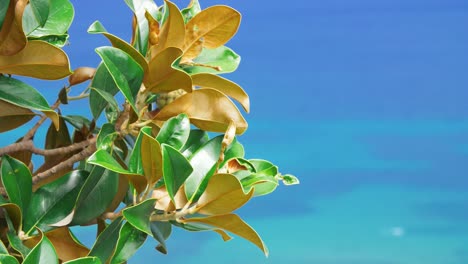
pixel 231 89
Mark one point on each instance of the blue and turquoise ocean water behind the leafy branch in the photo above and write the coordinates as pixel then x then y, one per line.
pixel 363 100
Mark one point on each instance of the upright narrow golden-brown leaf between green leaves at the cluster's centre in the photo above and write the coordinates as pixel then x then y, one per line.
pixel 151 158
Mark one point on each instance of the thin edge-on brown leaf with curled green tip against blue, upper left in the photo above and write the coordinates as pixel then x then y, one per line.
pixel 98 28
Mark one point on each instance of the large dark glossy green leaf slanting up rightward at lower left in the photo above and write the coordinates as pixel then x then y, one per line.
pixel 54 201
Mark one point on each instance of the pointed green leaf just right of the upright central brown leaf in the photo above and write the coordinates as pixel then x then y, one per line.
pixel 176 169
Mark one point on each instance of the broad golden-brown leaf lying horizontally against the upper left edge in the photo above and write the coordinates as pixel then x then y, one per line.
pixel 38 59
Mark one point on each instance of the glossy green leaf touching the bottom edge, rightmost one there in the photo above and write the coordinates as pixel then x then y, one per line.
pixel 130 240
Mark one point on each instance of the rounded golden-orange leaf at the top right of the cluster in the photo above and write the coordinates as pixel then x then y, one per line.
pixel 215 26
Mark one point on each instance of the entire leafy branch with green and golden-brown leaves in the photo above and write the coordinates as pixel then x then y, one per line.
pixel 134 168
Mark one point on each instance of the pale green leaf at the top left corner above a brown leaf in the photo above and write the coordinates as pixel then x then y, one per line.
pixel 58 21
